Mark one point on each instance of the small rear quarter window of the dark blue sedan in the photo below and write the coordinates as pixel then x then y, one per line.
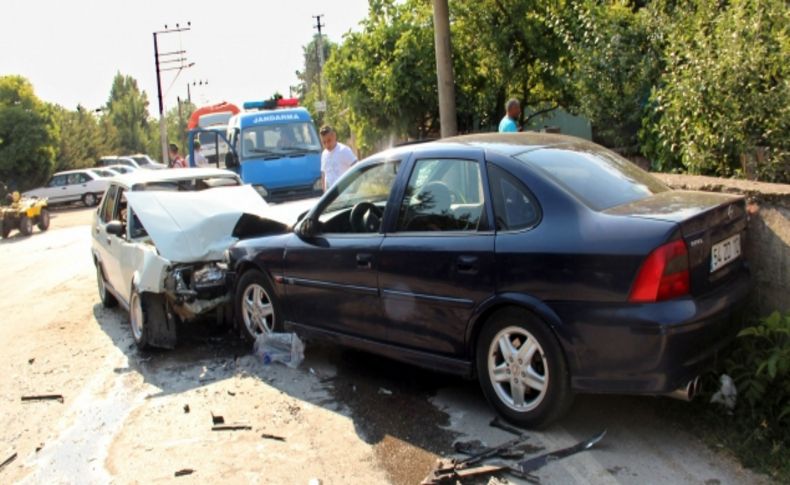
pixel 514 206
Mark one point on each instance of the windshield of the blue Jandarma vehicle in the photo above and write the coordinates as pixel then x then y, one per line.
pixel 278 140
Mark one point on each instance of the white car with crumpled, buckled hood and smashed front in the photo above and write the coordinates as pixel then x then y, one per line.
pixel 159 240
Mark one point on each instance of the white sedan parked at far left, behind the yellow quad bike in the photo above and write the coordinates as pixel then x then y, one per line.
pixel 86 185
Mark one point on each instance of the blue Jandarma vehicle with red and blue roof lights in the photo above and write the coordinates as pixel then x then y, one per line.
pixel 274 146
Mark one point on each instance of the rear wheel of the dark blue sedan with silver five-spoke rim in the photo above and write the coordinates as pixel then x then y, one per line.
pixel 522 369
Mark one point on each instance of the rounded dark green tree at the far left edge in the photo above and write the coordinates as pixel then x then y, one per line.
pixel 28 134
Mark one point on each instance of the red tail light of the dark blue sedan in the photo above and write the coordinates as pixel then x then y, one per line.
pixel 664 274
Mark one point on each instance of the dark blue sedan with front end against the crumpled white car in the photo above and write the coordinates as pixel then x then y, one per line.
pixel 542 264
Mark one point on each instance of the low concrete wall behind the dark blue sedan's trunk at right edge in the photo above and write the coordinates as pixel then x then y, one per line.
pixel 768 243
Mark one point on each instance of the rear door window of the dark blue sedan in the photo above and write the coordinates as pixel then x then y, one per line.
pixel 443 195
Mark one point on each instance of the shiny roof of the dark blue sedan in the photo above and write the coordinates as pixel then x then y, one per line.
pixel 508 144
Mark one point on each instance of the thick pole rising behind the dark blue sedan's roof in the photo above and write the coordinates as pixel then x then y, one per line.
pixel 444 68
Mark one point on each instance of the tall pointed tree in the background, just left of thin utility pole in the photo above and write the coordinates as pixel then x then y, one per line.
pixel 127 111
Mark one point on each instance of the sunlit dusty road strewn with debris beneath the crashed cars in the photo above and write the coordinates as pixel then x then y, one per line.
pixel 343 416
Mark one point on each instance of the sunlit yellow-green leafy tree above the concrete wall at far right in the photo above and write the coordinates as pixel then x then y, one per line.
pixel 724 99
